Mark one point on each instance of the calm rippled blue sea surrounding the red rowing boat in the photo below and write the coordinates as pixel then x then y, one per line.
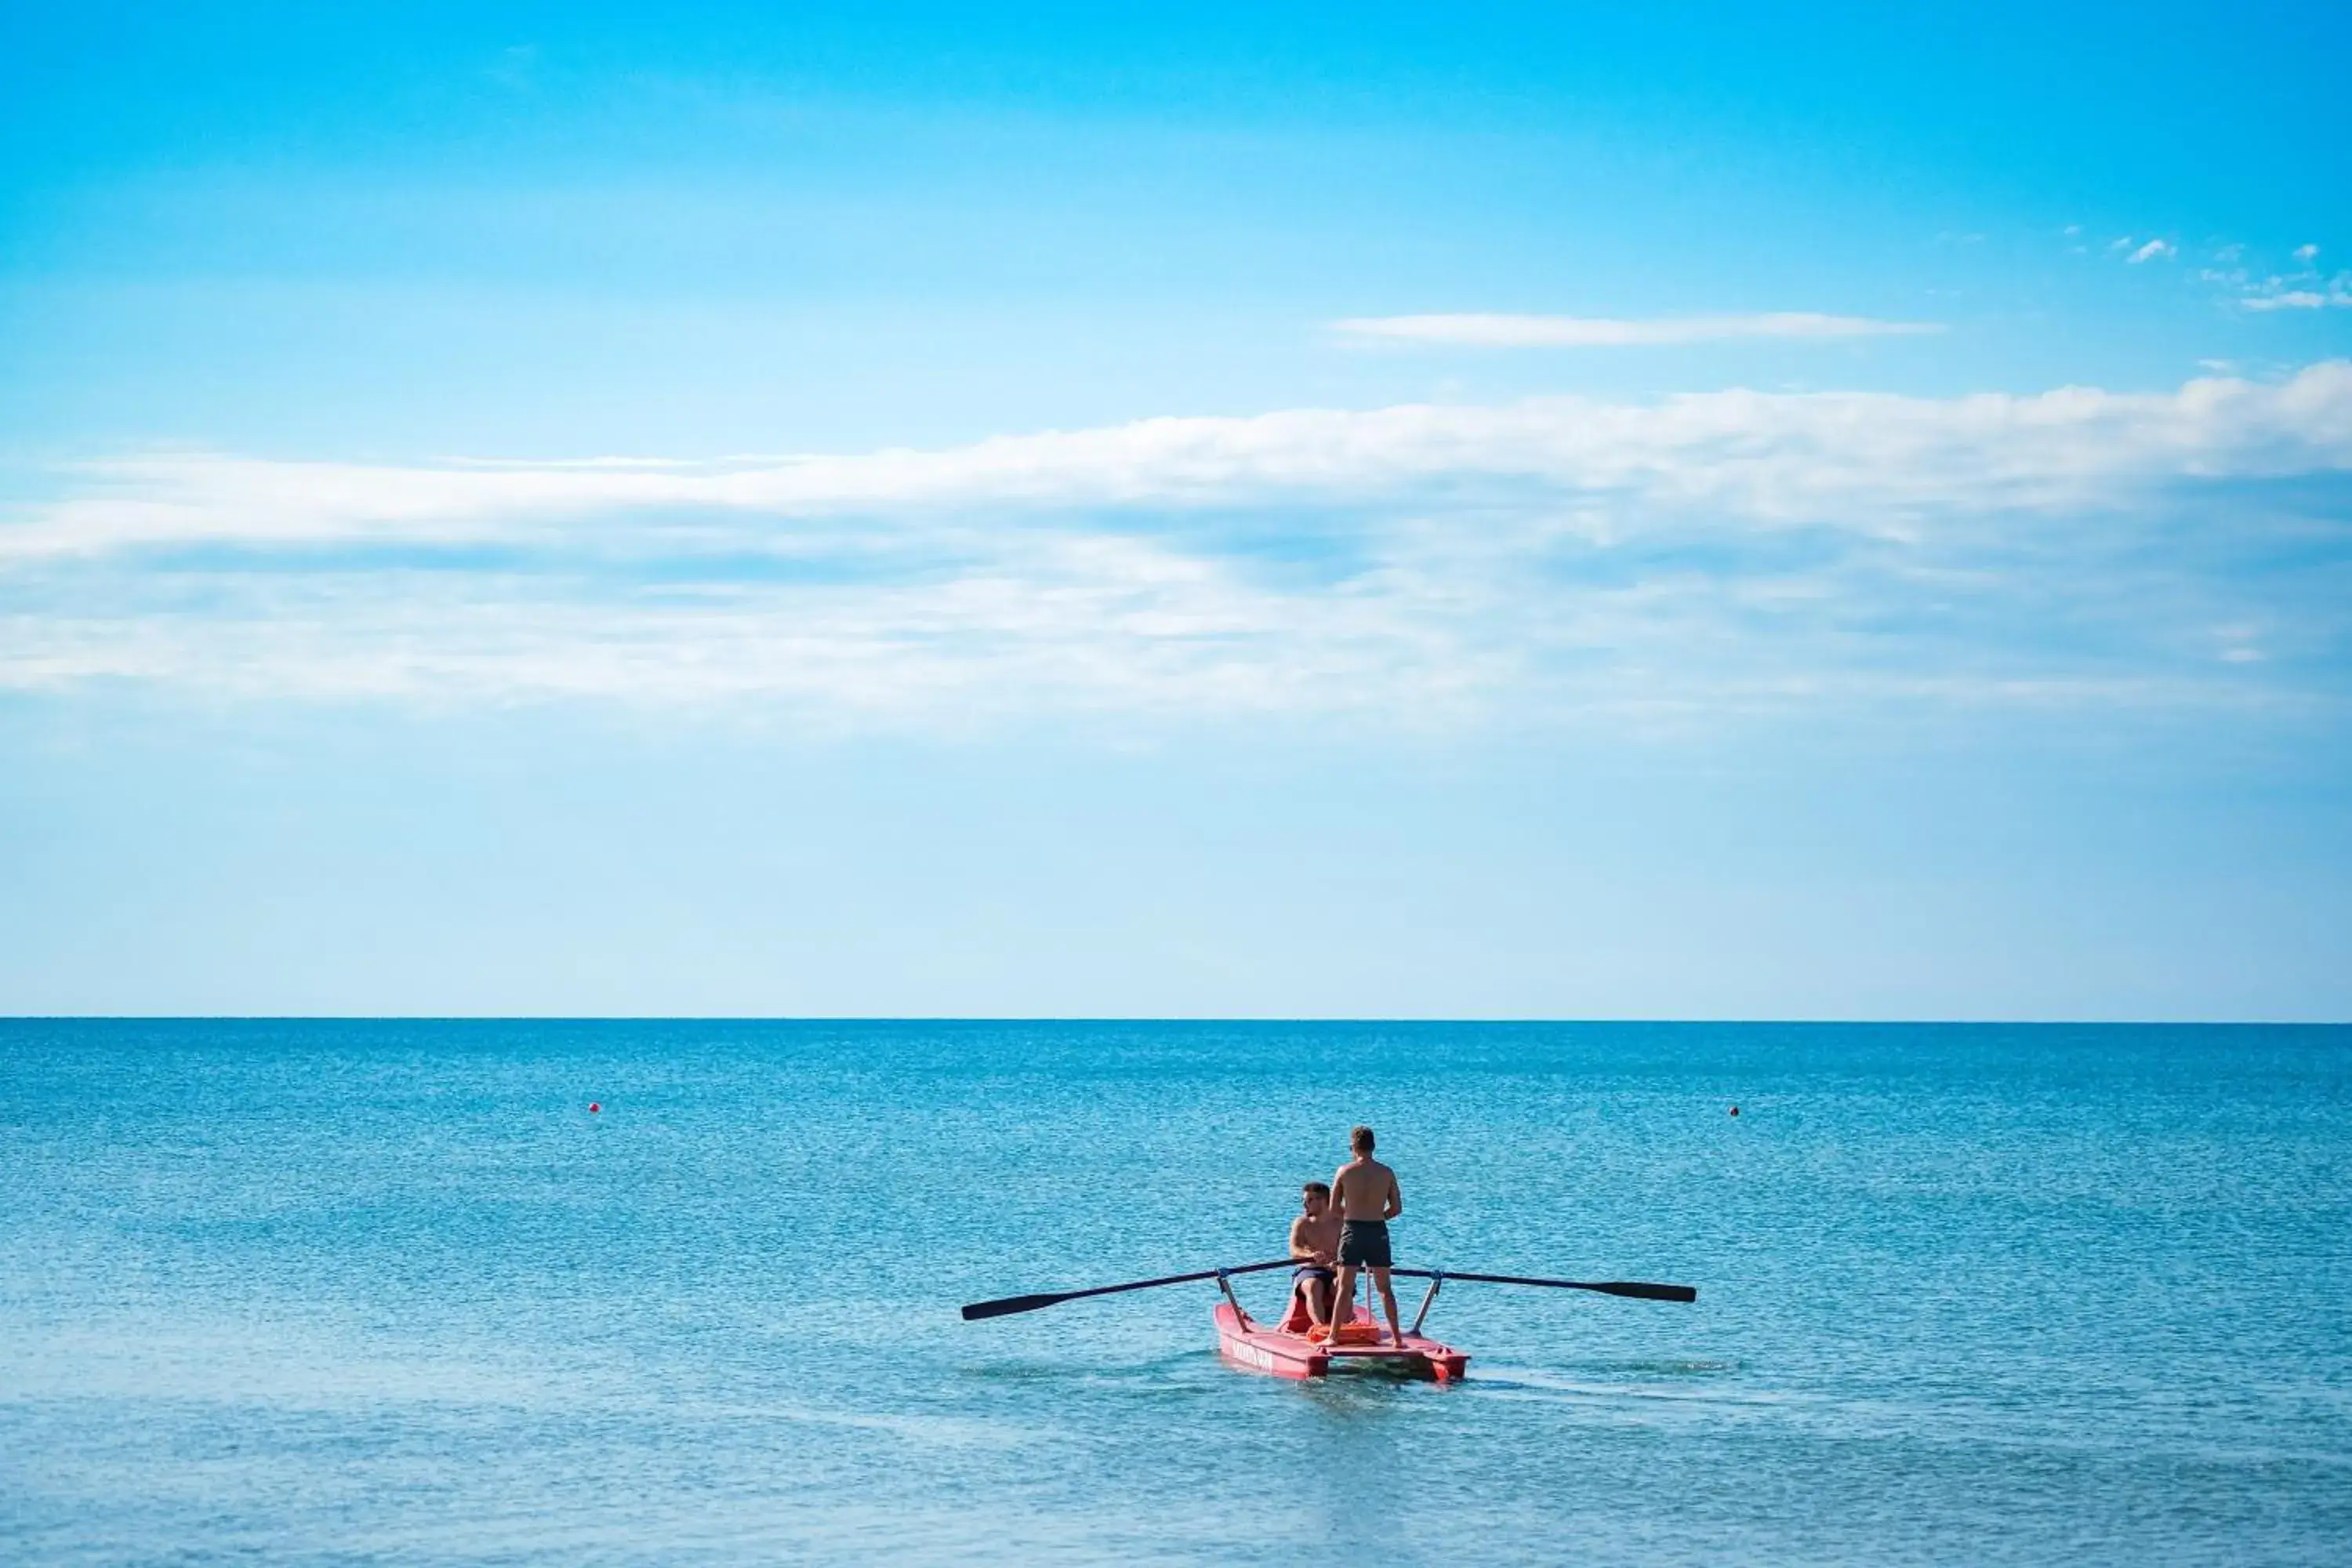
pixel 392 1294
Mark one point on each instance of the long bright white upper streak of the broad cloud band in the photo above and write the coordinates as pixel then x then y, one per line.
pixel 1770 457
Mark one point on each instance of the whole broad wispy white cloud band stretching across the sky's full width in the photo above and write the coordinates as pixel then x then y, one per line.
pixel 1561 556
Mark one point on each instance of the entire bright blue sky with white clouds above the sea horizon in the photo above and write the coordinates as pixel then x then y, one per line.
pixel 1196 511
